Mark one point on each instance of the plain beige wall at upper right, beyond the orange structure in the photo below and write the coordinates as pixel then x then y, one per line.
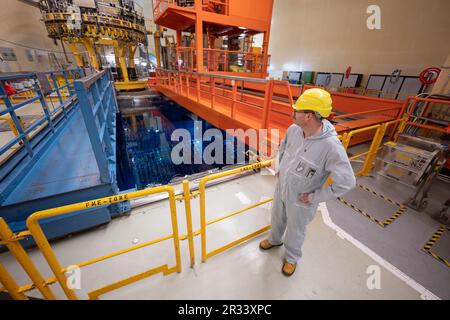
pixel 330 35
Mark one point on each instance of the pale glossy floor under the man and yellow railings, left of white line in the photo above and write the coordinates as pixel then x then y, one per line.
pixel 331 267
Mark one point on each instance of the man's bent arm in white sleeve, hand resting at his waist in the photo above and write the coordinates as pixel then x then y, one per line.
pixel 342 174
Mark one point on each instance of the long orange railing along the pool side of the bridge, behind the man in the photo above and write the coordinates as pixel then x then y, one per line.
pixel 268 104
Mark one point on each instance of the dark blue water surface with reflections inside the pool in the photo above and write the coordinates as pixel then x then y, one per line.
pixel 146 144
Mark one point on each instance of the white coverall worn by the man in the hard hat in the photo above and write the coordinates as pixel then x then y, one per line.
pixel 304 164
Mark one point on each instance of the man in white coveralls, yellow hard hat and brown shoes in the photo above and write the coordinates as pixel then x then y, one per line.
pixel 308 155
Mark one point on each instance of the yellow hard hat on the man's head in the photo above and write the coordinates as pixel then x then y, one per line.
pixel 315 99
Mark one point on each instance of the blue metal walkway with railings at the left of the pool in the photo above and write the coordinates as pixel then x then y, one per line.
pixel 72 160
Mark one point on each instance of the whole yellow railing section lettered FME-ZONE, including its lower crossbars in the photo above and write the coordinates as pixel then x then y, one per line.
pixel 49 255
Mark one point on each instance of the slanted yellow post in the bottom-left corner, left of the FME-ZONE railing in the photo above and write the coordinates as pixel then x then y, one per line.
pixel 24 260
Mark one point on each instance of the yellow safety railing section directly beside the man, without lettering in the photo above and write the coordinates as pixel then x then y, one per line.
pixel 204 223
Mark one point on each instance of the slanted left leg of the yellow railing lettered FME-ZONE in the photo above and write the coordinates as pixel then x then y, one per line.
pixel 46 250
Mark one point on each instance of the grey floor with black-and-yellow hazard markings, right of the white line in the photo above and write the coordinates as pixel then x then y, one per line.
pixel 401 242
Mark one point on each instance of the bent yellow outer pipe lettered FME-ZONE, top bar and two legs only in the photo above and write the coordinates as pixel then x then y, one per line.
pixel 43 244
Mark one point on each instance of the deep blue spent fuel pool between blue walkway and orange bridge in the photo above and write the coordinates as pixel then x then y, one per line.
pixel 146 142
